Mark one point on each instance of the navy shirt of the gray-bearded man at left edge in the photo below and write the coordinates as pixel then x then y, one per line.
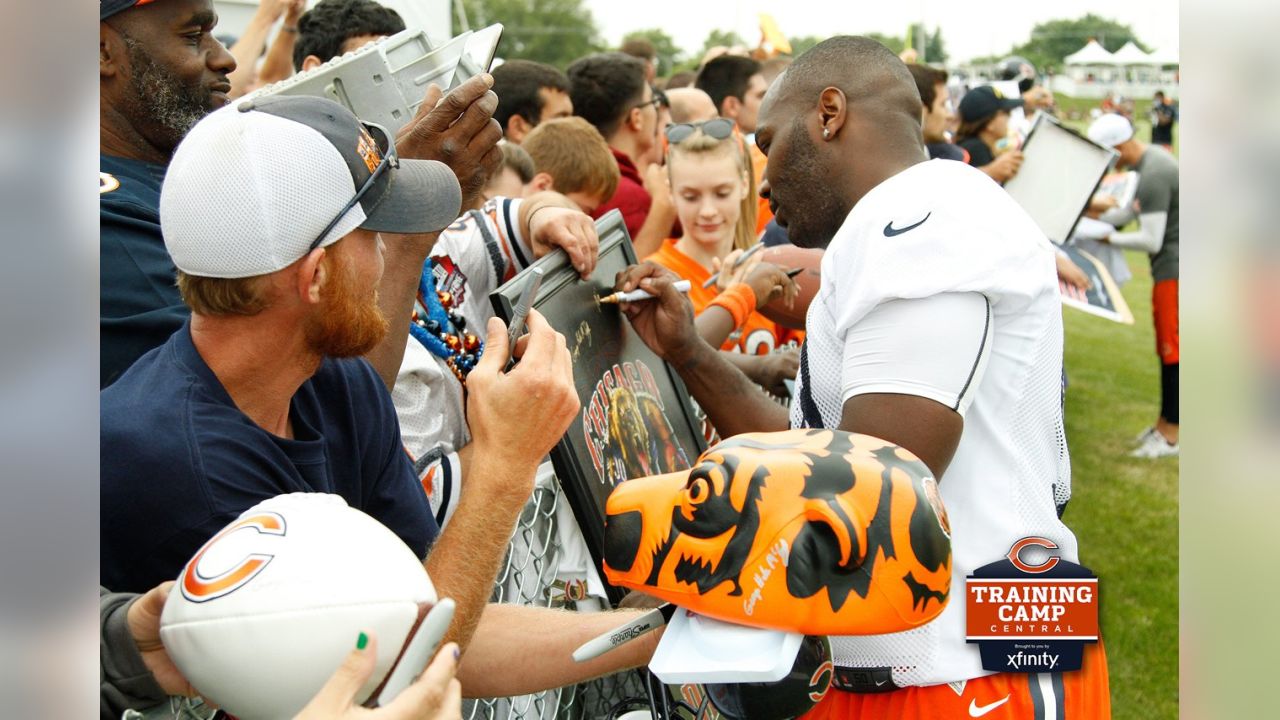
pixel 140 303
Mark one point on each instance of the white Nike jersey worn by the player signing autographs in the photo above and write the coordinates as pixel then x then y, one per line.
pixel 943 227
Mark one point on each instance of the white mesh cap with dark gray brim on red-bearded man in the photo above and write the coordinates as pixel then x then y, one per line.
pixel 257 186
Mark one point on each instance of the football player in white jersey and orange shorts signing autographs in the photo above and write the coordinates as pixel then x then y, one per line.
pixel 938 327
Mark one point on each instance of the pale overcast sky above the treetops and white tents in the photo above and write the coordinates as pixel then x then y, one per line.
pixel 970 30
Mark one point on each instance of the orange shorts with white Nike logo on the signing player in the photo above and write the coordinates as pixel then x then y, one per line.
pixel 1007 696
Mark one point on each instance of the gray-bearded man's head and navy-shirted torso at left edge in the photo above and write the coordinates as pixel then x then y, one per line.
pixel 162 71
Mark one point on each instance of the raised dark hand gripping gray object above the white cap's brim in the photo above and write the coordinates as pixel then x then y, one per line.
pixel 459 131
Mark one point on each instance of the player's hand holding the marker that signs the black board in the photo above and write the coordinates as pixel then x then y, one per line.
pixel 665 323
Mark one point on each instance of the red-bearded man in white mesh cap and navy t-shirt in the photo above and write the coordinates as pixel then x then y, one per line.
pixel 273 212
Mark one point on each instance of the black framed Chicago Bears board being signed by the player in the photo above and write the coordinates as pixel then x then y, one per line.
pixel 637 417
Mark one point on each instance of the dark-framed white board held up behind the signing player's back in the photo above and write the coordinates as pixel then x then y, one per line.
pixel 1060 172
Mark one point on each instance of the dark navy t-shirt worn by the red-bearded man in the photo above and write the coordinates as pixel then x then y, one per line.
pixel 180 461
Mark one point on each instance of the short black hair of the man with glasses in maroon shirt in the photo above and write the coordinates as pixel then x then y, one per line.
pixel 605 88
